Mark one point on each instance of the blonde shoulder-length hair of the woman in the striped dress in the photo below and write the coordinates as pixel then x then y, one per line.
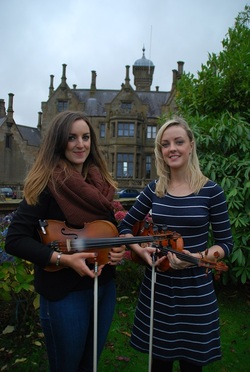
pixel 195 177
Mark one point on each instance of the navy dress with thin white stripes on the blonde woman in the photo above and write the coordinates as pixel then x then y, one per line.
pixel 186 316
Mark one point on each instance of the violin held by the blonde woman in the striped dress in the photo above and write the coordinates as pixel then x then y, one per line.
pixel 175 244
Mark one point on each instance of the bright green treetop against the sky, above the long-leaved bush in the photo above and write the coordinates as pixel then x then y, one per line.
pixel 223 84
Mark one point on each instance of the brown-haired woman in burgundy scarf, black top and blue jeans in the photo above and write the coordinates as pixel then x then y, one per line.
pixel 69 182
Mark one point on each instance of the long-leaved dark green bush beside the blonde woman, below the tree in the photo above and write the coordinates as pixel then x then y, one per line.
pixel 223 150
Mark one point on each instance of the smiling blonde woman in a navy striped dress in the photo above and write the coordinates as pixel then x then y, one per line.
pixel 186 317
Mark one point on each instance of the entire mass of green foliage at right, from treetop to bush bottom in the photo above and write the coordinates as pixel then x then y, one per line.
pixel 216 105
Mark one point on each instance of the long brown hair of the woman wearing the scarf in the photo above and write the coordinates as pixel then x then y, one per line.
pixel 52 152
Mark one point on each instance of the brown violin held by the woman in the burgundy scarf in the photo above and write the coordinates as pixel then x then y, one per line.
pixel 97 236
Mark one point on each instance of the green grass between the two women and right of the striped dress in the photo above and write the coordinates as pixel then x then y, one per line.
pixel 118 356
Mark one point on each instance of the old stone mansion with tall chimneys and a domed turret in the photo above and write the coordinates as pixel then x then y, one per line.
pixel 125 121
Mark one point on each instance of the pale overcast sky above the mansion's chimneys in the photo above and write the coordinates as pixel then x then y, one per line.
pixel 38 36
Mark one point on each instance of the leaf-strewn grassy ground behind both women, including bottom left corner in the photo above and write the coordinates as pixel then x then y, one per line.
pixel 22 351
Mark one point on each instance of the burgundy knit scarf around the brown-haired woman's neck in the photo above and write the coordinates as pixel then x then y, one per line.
pixel 82 200
